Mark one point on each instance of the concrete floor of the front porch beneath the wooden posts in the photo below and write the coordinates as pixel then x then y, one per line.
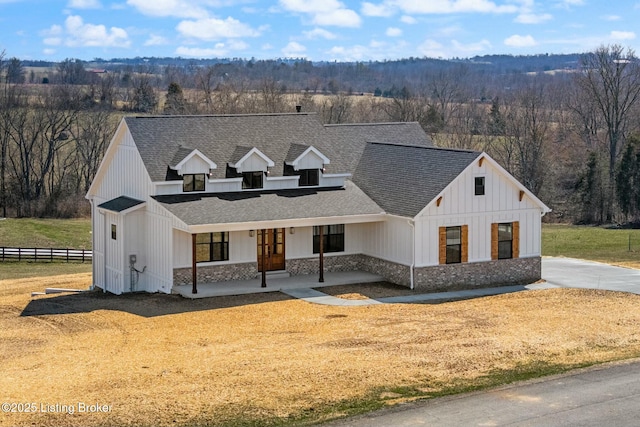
pixel 275 284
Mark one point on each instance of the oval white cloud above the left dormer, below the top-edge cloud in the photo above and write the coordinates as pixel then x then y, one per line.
pixel 216 29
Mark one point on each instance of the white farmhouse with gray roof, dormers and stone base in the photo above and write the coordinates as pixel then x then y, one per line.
pixel 202 199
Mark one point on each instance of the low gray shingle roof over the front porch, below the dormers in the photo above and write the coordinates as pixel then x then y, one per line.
pixel 250 206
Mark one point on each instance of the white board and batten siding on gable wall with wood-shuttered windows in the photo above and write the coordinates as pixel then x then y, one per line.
pixel 501 203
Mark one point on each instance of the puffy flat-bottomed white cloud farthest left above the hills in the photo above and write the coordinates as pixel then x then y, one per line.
pixel 76 33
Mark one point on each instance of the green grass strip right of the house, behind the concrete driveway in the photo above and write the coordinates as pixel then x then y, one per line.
pixel 592 243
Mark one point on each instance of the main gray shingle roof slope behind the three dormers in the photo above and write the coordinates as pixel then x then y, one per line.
pixel 159 138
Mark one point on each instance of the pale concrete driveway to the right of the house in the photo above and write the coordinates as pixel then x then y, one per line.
pixel 575 273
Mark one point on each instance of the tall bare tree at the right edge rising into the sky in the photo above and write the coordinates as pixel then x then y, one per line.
pixel 610 77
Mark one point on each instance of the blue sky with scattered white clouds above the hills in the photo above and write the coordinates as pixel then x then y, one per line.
pixel 341 30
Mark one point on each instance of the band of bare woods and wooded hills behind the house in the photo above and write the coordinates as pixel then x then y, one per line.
pixel 570 135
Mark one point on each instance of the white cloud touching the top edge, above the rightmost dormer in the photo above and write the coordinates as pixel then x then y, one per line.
pixel 323 12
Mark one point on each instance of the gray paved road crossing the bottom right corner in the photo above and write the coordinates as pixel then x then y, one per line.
pixel 602 396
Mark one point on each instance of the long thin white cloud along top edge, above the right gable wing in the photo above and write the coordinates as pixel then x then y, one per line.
pixel 453 6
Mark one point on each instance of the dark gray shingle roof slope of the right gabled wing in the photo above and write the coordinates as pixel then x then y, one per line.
pixel 404 179
